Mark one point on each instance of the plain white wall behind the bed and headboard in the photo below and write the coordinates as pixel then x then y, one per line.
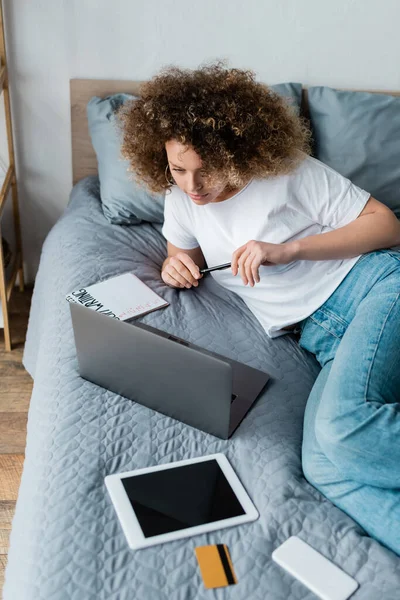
pixel 346 43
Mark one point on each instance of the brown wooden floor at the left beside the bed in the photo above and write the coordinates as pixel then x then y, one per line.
pixel 15 393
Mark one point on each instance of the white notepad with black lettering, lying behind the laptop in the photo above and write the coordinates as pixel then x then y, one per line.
pixel 123 297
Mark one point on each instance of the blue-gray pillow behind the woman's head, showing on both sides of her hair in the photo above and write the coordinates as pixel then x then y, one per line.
pixel 124 201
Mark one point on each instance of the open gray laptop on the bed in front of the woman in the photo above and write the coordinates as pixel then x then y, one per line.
pixel 165 373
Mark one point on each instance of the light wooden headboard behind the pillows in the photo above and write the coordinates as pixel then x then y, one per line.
pixel 84 160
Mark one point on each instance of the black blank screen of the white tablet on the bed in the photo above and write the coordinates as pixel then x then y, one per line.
pixel 181 497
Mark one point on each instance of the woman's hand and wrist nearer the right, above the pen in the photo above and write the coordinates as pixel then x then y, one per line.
pixel 247 259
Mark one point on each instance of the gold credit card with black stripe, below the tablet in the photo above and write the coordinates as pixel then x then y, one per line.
pixel 215 565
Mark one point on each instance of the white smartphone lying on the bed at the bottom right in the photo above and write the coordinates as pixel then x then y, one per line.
pixel 315 571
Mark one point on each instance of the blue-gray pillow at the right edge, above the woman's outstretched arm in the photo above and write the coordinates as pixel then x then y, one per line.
pixel 358 135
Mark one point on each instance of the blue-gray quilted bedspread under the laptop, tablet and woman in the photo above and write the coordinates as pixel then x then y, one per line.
pixel 66 541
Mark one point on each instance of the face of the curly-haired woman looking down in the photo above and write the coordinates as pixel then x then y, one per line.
pixel 186 168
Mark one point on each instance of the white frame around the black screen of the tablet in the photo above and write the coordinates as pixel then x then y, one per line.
pixel 130 524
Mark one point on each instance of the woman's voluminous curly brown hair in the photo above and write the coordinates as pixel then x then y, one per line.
pixel 240 128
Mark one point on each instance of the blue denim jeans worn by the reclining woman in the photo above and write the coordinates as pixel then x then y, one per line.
pixel 351 439
